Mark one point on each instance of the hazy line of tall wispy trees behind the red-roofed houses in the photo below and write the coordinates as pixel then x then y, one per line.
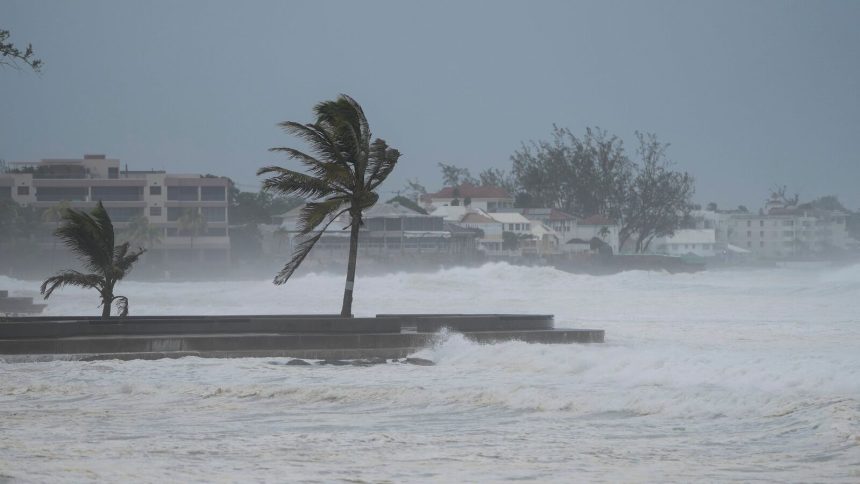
pixel 593 174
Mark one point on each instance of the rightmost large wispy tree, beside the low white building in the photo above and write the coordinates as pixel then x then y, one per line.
pixel 659 199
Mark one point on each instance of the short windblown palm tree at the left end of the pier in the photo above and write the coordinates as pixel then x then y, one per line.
pixel 91 237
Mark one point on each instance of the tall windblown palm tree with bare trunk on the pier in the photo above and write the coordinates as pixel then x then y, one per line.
pixel 345 171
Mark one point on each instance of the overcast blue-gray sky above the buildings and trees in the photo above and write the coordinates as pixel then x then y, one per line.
pixel 749 94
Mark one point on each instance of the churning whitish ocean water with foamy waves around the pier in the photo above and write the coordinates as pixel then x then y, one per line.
pixel 716 376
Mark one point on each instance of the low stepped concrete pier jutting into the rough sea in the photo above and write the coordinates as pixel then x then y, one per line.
pixel 300 336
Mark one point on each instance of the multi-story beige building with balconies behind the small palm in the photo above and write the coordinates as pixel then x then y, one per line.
pixel 161 197
